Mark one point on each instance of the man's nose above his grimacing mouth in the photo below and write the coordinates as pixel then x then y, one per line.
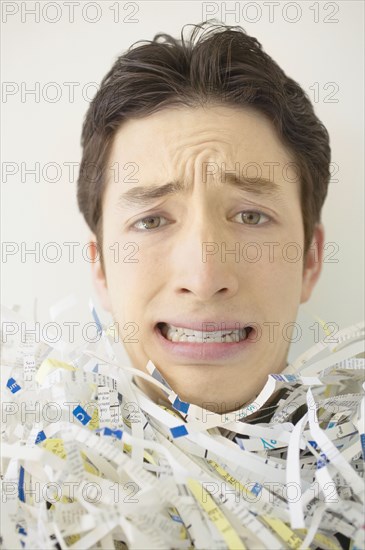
pixel 202 263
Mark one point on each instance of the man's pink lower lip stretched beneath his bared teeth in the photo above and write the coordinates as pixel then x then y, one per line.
pixel 201 351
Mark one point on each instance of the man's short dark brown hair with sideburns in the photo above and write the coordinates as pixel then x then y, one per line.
pixel 223 64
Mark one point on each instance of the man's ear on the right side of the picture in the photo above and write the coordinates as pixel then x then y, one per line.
pixel 312 263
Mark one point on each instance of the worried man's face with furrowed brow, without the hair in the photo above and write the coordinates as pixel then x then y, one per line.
pixel 214 253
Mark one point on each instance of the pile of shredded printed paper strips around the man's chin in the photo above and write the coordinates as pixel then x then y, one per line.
pixel 89 461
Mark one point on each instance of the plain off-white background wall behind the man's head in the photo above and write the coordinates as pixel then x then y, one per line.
pixel 303 37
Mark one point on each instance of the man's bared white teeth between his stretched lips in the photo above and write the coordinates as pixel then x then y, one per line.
pixel 179 334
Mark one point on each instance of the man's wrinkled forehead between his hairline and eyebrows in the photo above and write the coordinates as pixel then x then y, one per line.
pixel 175 143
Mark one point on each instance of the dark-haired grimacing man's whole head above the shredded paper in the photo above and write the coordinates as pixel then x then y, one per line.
pixel 203 176
